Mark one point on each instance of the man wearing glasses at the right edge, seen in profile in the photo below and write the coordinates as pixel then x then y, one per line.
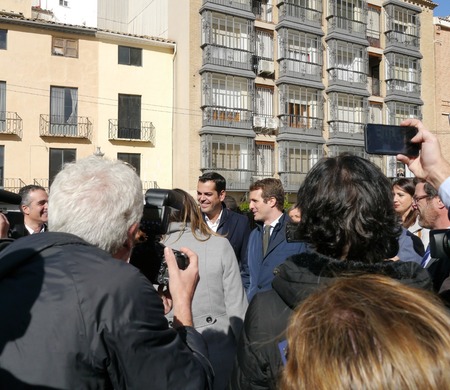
pixel 432 215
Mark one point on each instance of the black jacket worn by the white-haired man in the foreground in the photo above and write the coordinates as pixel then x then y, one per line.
pixel 74 317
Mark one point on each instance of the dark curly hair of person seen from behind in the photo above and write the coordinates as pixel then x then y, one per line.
pixel 347 210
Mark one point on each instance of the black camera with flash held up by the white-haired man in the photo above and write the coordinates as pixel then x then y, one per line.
pixel 148 253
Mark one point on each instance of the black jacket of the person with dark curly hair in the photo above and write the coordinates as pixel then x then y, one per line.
pixel 258 360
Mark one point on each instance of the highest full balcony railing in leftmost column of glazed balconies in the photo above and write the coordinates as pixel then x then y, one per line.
pixel 225 56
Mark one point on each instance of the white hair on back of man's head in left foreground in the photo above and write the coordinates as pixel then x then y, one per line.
pixel 97 200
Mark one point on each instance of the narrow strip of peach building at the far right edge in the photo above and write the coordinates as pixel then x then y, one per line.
pixel 442 103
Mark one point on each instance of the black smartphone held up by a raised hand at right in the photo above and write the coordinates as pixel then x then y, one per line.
pixel 390 140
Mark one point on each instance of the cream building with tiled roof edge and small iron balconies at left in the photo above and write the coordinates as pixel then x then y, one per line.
pixel 69 91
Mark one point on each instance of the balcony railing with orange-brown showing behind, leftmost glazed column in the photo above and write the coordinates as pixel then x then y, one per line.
pixel 227 117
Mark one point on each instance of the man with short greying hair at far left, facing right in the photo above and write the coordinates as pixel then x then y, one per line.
pixel 34 207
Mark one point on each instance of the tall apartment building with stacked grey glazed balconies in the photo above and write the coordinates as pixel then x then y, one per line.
pixel 264 88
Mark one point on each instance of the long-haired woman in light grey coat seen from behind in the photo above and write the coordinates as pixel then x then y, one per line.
pixel 219 303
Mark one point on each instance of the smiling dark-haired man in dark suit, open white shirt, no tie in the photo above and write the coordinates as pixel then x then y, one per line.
pixel 211 192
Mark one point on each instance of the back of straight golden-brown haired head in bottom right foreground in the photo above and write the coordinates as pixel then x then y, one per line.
pixel 368 332
